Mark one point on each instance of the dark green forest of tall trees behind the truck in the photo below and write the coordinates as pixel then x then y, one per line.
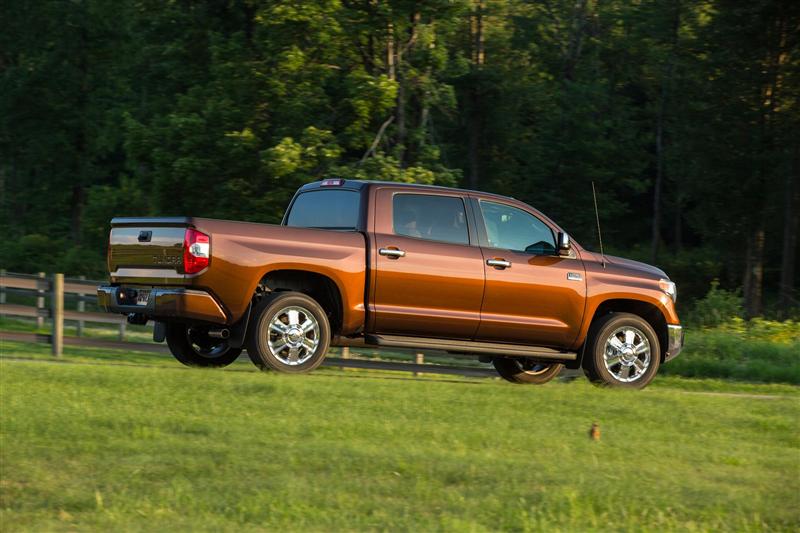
pixel 684 115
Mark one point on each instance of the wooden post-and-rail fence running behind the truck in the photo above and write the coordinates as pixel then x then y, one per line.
pixel 83 290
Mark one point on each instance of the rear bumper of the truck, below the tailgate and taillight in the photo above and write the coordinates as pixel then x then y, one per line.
pixel 180 303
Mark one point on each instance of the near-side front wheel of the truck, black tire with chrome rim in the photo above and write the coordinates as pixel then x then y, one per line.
pixel 614 374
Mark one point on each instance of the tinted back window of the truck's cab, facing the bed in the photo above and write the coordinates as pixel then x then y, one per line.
pixel 325 209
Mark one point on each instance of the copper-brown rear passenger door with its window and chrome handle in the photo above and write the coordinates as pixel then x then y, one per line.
pixel 429 268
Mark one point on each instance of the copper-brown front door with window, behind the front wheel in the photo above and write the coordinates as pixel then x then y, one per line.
pixel 533 296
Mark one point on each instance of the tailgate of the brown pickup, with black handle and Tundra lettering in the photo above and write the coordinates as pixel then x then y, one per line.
pixel 147 250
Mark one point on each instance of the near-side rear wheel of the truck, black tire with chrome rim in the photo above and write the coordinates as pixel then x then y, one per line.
pixel 294 350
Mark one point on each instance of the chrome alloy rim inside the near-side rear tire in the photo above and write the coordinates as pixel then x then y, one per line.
pixel 293 335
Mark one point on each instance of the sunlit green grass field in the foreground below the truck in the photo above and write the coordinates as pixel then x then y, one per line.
pixel 148 445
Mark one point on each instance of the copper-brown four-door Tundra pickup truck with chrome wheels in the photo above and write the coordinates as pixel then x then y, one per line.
pixel 393 265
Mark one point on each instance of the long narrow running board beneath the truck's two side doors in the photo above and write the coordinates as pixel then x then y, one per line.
pixel 469 347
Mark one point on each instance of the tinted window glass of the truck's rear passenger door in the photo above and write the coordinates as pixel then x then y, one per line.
pixel 430 217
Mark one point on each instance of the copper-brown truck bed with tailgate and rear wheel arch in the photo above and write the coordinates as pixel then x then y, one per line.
pixel 148 253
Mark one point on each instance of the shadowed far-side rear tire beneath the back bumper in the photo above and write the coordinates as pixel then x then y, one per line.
pixel 192 346
